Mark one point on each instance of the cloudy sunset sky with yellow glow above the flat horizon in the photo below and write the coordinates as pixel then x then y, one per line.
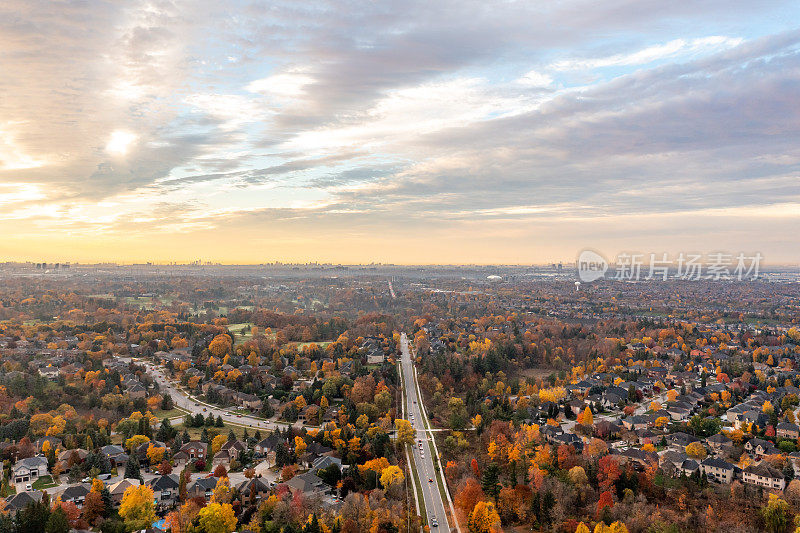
pixel 402 132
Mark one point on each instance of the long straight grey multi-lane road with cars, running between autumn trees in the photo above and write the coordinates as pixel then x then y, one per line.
pixel 423 455
